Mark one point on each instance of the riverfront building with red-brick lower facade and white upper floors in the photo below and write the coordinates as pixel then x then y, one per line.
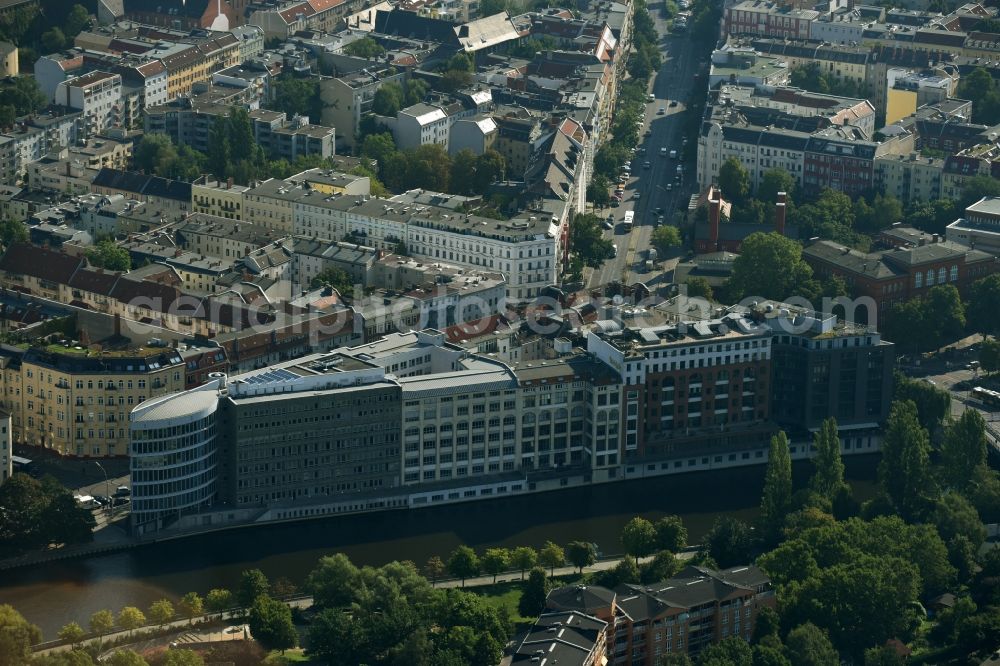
pixel 689 387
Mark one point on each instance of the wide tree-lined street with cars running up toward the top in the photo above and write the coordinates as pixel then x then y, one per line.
pixel 673 83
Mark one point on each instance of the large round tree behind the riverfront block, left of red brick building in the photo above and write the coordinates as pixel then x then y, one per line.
pixel 769 266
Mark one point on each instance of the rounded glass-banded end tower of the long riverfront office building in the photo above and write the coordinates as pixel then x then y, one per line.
pixel 174 455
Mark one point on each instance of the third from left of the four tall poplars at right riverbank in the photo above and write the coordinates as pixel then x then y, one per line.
pixel 904 472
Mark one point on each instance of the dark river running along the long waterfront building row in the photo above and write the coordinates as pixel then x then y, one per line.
pixel 54 594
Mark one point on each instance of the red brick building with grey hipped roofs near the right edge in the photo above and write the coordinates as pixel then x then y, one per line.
pixel 898 274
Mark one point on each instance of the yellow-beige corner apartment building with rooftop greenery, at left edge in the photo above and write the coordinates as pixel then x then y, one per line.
pixel 75 401
